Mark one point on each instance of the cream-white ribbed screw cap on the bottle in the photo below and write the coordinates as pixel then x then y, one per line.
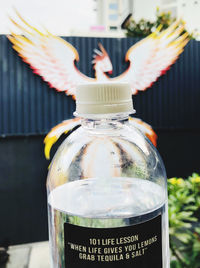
pixel 104 98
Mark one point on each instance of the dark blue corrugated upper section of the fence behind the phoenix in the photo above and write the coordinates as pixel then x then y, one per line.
pixel 29 107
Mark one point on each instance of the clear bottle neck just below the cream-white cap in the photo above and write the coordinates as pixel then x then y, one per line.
pixel 108 121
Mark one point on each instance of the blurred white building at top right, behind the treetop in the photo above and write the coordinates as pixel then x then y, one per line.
pixel 110 14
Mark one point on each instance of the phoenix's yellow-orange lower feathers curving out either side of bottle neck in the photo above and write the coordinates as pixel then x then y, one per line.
pixel 70 124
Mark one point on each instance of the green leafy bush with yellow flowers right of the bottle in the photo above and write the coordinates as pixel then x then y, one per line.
pixel 184 229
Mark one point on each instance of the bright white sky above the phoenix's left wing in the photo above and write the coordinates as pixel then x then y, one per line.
pixel 58 16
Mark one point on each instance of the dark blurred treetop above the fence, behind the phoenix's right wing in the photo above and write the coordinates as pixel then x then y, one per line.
pixel 143 27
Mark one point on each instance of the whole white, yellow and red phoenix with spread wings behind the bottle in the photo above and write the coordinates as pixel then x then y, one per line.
pixel 54 59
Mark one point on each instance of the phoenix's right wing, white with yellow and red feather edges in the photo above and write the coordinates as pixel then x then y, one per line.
pixel 153 56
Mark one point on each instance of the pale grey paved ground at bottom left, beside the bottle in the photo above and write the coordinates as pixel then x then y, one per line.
pixel 35 255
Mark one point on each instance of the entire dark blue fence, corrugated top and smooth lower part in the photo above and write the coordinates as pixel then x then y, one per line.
pixel 29 108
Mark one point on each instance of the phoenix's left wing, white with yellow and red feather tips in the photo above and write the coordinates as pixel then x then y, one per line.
pixel 49 56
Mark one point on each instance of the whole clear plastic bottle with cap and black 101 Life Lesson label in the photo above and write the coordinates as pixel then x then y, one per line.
pixel 107 191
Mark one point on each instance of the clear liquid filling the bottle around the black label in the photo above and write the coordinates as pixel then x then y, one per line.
pixel 104 203
